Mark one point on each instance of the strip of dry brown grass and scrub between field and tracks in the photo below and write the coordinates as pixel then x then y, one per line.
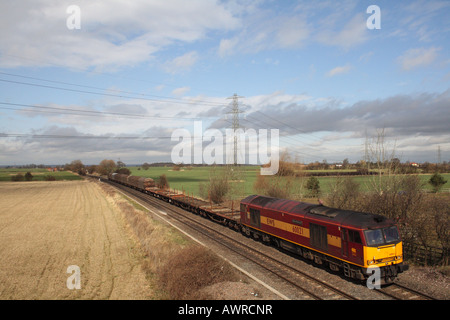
pixel 178 269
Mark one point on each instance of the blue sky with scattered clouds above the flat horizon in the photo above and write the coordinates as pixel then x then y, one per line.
pixel 115 79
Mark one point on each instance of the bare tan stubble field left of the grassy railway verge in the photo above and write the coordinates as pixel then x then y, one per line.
pixel 47 226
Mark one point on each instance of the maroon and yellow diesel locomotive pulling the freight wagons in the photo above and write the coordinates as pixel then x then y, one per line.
pixel 344 240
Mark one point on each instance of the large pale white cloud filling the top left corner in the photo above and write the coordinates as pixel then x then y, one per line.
pixel 113 33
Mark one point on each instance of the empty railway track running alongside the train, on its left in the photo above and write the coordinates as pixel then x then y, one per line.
pixel 310 287
